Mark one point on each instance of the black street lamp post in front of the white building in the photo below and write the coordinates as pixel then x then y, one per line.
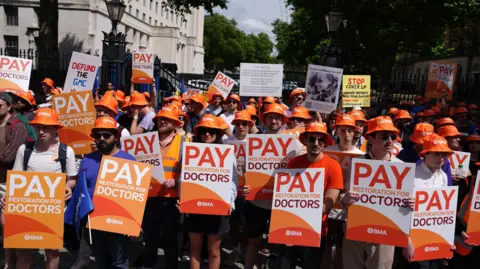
pixel 114 45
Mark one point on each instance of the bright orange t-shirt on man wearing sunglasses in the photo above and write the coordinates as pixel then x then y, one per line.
pixel 333 176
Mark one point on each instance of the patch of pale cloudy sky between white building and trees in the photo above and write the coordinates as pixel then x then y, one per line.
pixel 256 16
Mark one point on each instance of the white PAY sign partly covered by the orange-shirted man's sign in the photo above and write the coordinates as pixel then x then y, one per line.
pixel 265 154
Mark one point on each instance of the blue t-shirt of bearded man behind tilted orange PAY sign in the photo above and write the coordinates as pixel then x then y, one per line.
pixel 91 164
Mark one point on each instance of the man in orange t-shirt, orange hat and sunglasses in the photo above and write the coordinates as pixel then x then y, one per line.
pixel 315 138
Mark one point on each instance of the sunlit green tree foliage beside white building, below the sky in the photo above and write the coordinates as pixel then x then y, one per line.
pixel 226 46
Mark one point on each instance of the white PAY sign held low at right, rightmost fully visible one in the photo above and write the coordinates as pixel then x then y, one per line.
pixel 433 223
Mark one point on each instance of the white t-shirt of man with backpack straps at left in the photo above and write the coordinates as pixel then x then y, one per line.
pixel 45 161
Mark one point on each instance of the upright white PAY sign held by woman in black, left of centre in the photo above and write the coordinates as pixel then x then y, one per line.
pixel 207 176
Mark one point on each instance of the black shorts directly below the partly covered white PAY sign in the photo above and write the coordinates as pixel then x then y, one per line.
pixel 257 220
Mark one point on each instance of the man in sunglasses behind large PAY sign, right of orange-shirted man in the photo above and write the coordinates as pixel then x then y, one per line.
pixel 381 135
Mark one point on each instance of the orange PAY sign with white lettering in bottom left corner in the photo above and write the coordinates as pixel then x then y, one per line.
pixel 34 206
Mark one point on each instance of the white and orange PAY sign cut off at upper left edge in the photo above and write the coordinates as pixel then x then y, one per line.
pixel 14 74
